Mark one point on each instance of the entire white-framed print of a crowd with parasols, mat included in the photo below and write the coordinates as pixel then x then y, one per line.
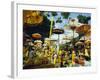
pixel 52 40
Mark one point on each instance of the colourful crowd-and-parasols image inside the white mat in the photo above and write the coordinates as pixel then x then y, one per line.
pixel 56 39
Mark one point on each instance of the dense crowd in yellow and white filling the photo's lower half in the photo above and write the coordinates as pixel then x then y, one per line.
pixel 45 52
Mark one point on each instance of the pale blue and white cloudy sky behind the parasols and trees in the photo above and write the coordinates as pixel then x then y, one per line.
pixel 68 33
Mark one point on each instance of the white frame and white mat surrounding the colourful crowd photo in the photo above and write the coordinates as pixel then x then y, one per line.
pixel 17 69
